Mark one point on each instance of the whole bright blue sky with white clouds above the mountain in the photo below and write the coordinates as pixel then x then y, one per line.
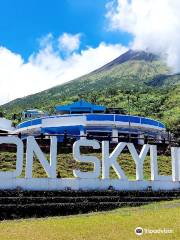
pixel 44 43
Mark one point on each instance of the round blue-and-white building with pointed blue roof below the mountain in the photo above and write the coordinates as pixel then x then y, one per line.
pixel 82 119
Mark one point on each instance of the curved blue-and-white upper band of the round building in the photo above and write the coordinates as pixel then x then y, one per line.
pixel 70 122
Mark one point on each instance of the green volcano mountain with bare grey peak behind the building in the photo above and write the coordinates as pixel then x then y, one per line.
pixel 152 89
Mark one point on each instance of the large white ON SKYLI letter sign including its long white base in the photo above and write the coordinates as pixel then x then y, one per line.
pixel 99 178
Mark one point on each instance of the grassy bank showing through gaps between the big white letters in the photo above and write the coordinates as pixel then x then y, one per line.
pixel 66 164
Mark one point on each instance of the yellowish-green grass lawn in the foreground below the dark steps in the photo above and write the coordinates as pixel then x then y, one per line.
pixel 117 224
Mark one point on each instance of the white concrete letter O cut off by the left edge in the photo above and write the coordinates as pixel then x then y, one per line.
pixel 19 157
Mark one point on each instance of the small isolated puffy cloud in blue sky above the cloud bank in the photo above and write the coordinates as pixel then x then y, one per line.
pixel 69 42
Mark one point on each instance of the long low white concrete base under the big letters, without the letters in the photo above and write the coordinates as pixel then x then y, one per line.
pixel 48 184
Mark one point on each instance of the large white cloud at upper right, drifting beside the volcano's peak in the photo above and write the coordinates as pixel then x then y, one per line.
pixel 155 25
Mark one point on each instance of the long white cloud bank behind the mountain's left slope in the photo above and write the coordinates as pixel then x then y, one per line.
pixel 47 68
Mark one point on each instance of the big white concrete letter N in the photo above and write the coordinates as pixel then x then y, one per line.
pixel 33 148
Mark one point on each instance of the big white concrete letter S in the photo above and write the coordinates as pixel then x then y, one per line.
pixel 88 159
